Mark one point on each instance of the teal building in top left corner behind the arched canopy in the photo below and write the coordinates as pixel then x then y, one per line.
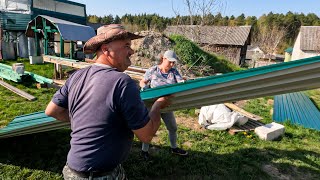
pixel 15 16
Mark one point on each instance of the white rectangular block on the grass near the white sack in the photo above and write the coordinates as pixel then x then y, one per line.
pixel 270 131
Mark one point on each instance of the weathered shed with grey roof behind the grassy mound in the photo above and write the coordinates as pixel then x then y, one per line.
pixel 229 41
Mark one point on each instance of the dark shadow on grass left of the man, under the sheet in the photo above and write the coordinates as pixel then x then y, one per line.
pixel 42 151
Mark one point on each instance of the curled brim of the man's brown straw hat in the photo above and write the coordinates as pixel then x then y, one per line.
pixel 95 42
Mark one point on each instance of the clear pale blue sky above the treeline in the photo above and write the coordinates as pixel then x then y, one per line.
pixel 170 8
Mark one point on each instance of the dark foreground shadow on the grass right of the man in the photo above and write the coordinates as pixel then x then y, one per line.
pixel 251 163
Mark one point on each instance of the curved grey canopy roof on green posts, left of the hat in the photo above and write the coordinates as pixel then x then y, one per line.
pixel 68 30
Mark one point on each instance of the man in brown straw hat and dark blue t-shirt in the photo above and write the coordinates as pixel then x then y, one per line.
pixel 104 108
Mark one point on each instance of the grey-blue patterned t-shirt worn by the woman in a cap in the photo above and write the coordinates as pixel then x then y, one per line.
pixel 157 78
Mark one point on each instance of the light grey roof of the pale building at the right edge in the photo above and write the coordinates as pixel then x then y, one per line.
pixel 310 38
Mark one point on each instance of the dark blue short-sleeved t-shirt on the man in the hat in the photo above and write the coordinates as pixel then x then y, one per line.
pixel 104 107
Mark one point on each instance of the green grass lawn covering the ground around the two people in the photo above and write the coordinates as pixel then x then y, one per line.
pixel 212 154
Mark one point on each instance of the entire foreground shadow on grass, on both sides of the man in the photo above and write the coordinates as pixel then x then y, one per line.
pixel 48 151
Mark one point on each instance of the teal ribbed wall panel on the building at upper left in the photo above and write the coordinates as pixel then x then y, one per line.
pixel 14 21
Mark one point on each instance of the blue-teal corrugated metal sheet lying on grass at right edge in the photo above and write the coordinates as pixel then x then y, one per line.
pixel 296 108
